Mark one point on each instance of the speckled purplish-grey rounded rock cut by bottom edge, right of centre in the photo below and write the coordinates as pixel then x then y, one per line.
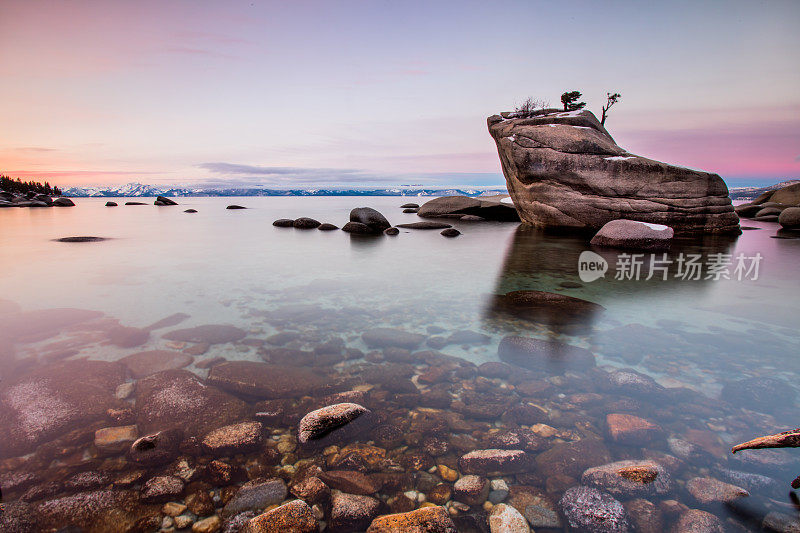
pixel 588 509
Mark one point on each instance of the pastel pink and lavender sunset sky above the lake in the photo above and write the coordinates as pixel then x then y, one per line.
pixel 355 92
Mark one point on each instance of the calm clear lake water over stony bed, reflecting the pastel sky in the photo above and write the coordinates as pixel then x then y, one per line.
pixel 707 363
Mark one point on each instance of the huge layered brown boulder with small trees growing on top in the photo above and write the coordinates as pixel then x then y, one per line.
pixel 564 171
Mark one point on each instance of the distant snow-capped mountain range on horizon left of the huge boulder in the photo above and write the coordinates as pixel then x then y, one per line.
pixel 141 190
